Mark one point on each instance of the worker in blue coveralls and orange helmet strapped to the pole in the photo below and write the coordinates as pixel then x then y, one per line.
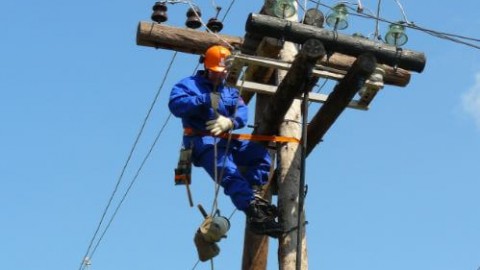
pixel 209 108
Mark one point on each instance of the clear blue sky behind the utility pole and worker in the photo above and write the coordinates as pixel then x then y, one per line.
pixel 392 188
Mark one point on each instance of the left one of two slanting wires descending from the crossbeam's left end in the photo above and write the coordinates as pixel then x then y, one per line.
pixel 120 178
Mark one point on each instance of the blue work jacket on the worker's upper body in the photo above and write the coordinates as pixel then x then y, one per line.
pixel 190 101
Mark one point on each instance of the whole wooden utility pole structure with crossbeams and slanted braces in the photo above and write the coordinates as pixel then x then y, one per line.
pixel 337 56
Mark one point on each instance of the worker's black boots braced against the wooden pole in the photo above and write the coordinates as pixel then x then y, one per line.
pixel 261 218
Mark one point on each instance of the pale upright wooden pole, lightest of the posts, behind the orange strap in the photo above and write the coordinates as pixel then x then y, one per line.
pixel 289 172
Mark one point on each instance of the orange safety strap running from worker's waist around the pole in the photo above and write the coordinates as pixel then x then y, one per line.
pixel 250 137
